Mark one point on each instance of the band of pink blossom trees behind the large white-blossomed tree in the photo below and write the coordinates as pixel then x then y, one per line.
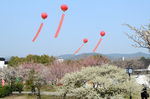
pixel 59 69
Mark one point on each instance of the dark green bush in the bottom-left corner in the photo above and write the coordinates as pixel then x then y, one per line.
pixel 5 91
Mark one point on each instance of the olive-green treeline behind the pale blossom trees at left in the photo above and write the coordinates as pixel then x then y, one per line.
pixel 43 59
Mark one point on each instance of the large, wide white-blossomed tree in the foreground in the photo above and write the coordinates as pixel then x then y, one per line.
pixel 98 83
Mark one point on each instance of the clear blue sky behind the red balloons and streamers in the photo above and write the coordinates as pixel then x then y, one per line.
pixel 20 19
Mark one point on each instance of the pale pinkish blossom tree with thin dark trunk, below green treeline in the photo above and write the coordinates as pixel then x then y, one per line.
pixel 34 75
